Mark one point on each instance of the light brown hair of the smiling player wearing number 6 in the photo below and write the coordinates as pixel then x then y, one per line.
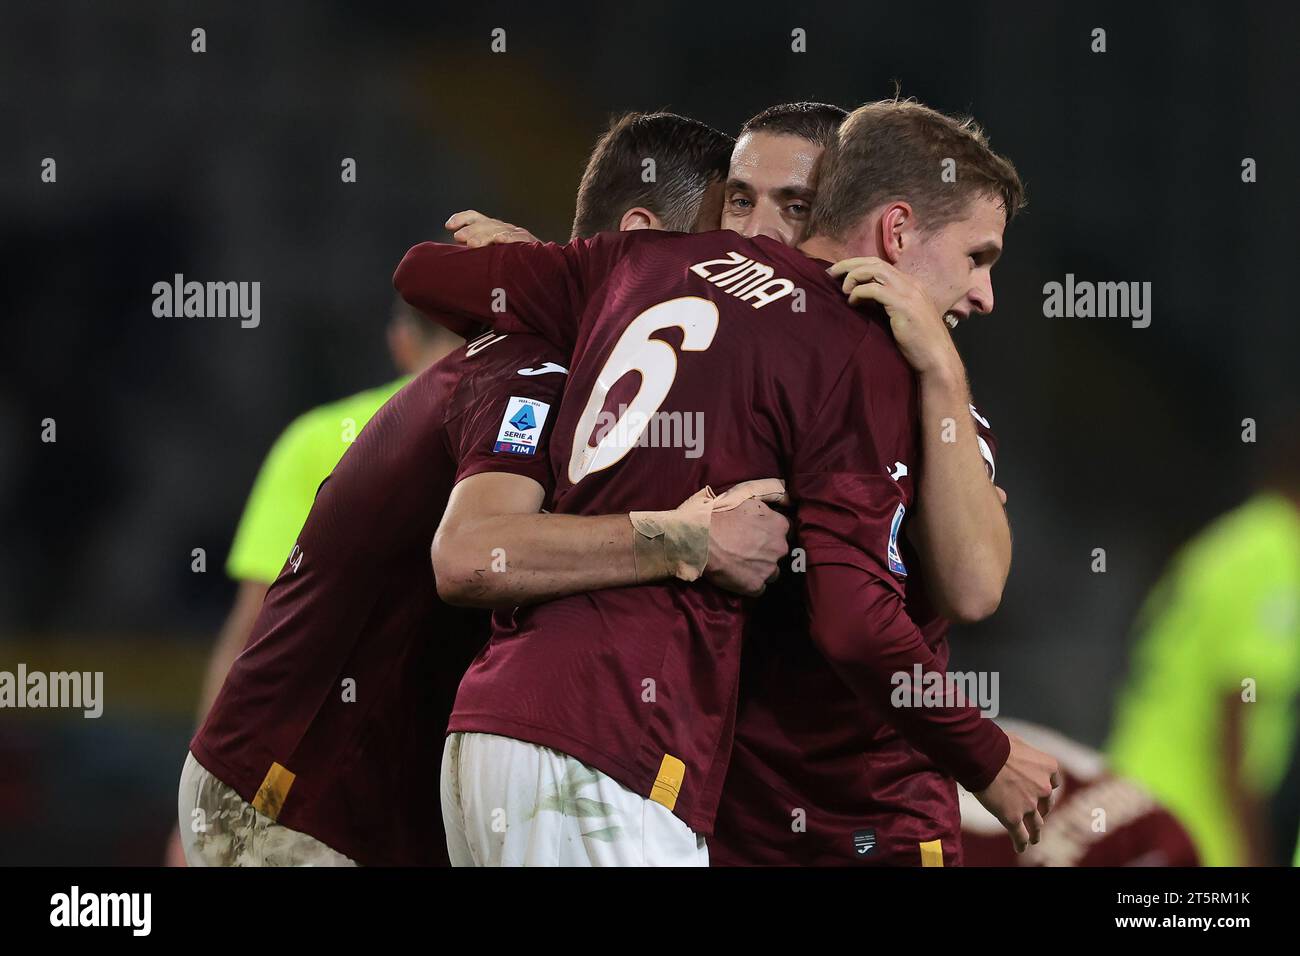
pixel 900 150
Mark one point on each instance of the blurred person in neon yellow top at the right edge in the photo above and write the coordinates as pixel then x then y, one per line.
pixel 1207 720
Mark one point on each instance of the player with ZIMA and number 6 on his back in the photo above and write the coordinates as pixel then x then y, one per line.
pixel 556 697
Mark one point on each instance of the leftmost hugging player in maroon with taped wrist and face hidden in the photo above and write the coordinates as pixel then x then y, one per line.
pixel 320 747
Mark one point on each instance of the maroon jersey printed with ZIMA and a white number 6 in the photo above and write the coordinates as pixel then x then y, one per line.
pixel 756 348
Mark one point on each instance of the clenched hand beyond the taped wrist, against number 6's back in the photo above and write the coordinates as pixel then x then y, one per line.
pixel 744 546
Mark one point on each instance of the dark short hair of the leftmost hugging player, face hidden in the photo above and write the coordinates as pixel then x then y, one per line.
pixel 688 157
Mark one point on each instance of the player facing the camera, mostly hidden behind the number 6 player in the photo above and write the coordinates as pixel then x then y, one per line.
pixel 790 798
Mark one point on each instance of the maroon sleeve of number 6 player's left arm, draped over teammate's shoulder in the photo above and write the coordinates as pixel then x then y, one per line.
pixel 539 288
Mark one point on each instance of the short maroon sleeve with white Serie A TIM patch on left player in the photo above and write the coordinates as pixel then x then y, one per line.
pixel 480 438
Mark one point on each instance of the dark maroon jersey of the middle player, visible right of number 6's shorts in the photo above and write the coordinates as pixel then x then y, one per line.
pixel 817 777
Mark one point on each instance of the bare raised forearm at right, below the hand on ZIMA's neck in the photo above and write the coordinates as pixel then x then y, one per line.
pixel 961 529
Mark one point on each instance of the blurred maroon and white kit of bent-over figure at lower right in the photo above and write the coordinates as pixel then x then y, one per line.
pixel 1099 820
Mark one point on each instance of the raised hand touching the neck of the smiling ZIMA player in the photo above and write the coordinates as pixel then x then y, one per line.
pixel 916 322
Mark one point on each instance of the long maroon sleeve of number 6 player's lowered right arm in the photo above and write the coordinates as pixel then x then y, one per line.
pixel 848 513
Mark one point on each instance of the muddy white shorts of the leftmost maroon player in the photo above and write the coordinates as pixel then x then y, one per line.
pixel 222 829
